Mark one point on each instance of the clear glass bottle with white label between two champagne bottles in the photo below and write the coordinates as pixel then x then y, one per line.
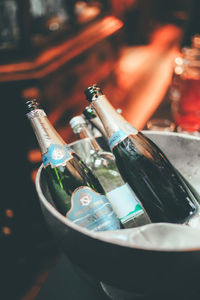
pixel 102 163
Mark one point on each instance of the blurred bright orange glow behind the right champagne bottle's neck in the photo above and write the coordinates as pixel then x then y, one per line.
pixel 144 73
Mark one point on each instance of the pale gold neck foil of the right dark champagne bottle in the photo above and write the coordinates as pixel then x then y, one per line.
pixel 111 120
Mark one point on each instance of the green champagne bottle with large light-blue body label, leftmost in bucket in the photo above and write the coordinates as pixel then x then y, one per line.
pixel 76 192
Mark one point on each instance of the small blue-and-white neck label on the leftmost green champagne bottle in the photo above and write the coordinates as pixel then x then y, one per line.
pixel 57 155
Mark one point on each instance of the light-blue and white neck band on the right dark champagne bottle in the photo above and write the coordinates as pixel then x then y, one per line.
pixel 125 130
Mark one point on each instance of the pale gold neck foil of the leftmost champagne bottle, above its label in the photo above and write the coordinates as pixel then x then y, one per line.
pixel 44 131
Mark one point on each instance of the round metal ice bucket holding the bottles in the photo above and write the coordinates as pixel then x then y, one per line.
pixel 122 261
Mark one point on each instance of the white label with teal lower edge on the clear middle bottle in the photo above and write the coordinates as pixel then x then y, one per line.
pixel 125 203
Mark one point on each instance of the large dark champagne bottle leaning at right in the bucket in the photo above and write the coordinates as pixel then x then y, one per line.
pixel 163 193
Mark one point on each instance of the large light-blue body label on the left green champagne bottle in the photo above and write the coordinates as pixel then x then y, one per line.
pixel 92 210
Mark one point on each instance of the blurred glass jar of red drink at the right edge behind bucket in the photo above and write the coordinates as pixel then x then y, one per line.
pixel 185 88
